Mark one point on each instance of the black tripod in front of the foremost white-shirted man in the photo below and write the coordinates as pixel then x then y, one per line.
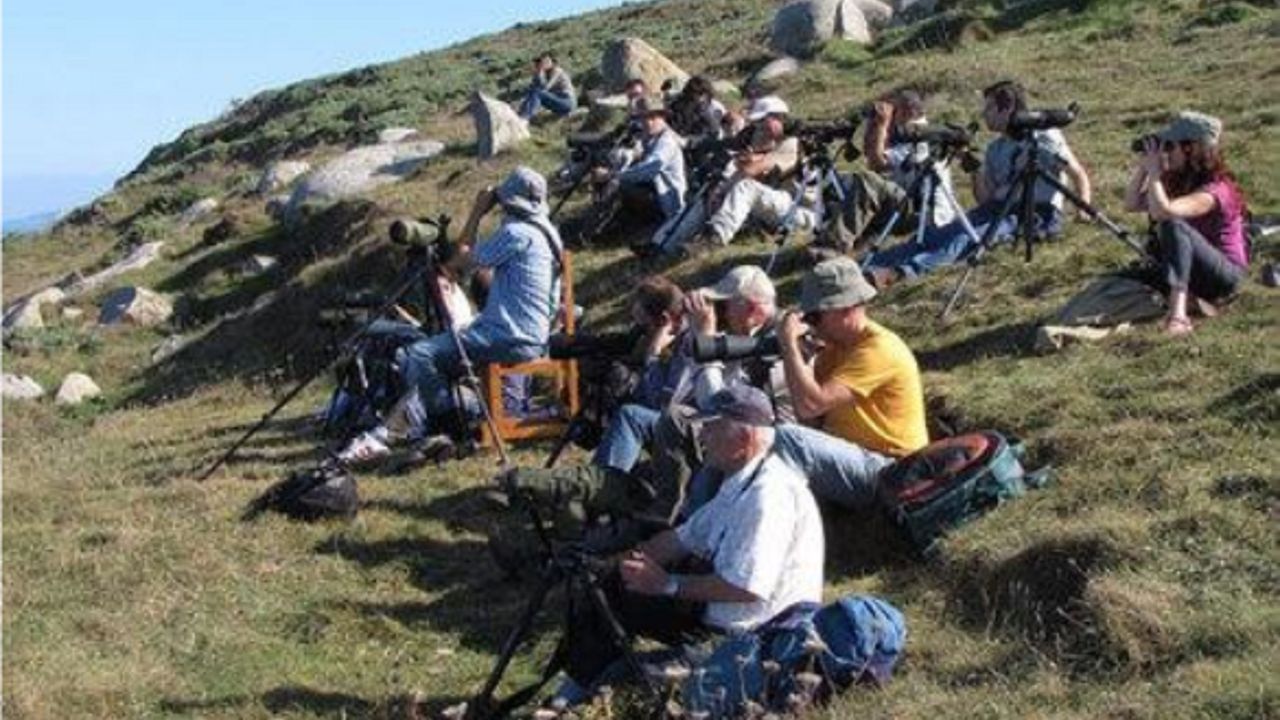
pixel 579 571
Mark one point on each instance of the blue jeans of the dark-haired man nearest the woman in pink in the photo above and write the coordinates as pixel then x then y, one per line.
pixel 949 244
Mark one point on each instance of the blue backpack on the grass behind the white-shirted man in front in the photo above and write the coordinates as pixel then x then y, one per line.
pixel 861 639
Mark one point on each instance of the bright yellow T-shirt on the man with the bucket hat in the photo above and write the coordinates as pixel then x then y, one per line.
pixel 888 414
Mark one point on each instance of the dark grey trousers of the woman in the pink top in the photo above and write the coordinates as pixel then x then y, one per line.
pixel 1191 262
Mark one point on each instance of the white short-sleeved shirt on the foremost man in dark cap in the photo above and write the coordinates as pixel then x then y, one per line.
pixel 762 532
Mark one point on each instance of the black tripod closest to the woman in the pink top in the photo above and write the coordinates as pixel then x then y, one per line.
pixel 1022 198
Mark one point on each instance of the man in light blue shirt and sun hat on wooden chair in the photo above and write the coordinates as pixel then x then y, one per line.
pixel 523 257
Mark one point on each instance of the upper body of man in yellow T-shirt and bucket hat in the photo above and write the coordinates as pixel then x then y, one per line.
pixel 865 385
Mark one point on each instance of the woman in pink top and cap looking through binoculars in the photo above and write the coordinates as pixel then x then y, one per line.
pixel 1182 183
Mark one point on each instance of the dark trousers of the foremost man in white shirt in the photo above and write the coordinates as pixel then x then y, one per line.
pixel 591 650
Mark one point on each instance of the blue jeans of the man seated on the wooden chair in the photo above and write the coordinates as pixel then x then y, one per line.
pixel 431 367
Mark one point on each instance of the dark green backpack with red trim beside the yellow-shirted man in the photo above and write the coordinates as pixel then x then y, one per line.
pixel 952 482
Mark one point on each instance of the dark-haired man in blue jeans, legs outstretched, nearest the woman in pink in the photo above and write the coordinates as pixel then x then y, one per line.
pixel 991 186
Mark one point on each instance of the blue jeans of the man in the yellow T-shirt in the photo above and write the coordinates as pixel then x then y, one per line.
pixel 839 472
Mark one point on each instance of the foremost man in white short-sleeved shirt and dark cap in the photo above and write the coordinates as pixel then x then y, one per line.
pixel 760 544
